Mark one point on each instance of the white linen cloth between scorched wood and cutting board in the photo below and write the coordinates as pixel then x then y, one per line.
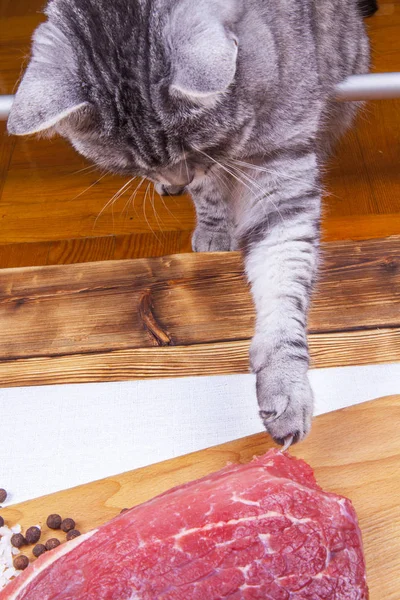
pixel 56 437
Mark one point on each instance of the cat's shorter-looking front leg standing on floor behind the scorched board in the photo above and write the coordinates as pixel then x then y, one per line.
pixel 213 232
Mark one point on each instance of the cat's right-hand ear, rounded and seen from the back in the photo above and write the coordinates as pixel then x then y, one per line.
pixel 204 55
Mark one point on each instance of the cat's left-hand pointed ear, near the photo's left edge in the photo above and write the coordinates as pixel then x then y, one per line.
pixel 48 91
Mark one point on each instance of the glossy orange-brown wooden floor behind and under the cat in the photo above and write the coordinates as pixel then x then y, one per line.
pixel 47 215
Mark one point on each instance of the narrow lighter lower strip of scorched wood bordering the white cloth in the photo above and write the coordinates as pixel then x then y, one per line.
pixel 343 349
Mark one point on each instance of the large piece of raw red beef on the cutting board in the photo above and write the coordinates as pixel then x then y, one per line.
pixel 262 530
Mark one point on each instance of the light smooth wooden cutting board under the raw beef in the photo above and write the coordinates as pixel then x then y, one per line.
pixel 354 452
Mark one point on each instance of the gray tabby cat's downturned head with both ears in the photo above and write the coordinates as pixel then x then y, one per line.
pixel 142 87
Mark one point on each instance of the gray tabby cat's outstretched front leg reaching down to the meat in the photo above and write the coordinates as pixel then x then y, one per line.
pixel 279 233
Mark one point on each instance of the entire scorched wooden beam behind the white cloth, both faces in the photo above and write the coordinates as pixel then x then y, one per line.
pixel 186 315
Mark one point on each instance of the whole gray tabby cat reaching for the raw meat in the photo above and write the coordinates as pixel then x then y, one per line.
pixel 231 100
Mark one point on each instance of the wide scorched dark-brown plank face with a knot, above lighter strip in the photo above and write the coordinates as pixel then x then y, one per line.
pixel 182 300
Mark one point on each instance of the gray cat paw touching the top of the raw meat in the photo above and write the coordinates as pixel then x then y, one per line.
pixel 286 402
